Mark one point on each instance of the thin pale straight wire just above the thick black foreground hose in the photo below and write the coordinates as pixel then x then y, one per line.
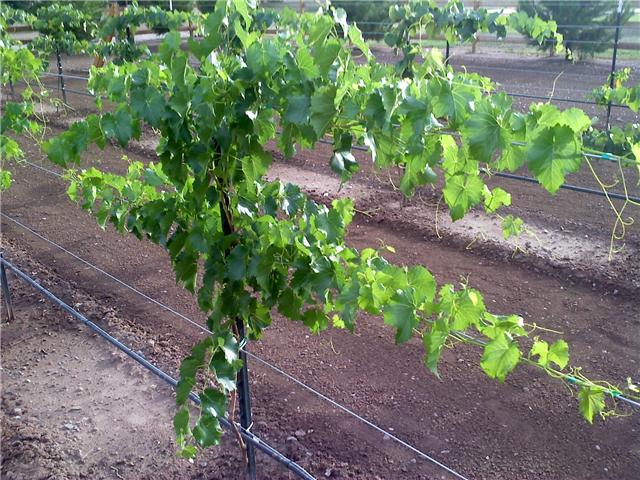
pixel 249 354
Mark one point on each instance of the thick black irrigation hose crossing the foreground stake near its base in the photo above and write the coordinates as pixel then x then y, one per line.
pixel 246 434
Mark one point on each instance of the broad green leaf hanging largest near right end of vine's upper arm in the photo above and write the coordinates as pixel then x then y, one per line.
pixel 553 153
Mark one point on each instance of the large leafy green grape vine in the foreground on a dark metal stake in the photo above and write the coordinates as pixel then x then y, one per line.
pixel 246 247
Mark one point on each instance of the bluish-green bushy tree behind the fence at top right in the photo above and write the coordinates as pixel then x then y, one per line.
pixel 585 25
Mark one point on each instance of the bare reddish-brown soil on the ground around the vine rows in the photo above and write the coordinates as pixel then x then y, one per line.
pixel 527 428
